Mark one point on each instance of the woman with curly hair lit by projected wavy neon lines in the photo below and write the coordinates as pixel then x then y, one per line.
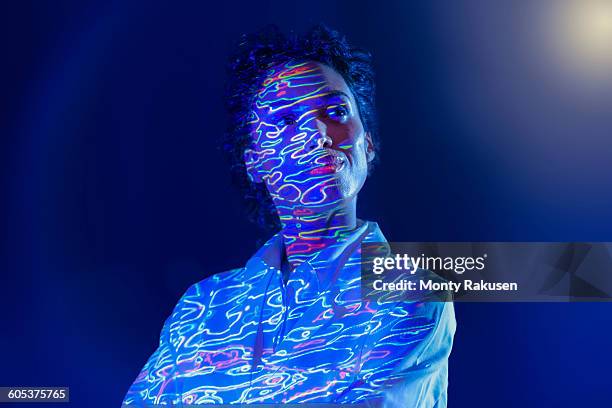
pixel 291 326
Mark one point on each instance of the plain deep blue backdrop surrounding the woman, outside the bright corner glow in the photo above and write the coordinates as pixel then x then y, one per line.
pixel 115 198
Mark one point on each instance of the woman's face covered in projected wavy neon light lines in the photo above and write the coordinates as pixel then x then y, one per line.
pixel 309 144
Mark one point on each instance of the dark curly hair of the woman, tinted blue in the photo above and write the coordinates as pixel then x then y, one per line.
pixel 258 52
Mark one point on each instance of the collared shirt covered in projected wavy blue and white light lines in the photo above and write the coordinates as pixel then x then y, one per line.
pixel 247 336
